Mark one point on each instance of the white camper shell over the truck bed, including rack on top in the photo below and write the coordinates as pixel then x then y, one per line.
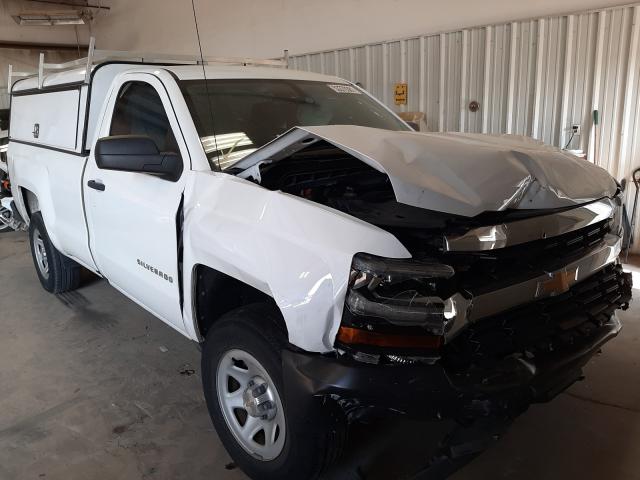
pixel 72 93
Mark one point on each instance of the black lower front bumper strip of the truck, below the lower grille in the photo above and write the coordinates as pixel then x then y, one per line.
pixel 430 391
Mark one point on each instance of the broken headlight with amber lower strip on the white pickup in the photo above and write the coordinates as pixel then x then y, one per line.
pixel 400 304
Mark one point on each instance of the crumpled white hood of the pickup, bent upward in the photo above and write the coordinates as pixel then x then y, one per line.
pixel 461 174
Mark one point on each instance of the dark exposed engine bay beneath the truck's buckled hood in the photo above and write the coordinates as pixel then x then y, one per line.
pixel 325 174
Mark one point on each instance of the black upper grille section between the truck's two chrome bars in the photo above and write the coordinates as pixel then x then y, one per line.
pixel 479 272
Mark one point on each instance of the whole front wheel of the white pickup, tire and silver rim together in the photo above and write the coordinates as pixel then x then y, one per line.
pixel 243 386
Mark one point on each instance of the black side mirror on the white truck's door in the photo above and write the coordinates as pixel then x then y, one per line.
pixel 137 153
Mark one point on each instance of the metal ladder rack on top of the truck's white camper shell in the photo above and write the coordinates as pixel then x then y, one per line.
pixel 96 57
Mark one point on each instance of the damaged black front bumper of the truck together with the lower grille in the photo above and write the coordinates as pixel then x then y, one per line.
pixel 499 366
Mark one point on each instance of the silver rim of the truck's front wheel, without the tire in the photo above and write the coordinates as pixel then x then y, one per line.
pixel 251 405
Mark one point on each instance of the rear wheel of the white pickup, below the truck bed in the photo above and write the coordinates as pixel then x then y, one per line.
pixel 61 273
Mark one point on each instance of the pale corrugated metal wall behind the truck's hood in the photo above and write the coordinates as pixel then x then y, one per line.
pixel 535 77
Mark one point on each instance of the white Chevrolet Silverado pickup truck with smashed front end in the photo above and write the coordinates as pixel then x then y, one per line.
pixel 333 263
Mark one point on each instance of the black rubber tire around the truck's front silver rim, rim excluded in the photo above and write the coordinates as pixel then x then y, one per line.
pixel 307 452
